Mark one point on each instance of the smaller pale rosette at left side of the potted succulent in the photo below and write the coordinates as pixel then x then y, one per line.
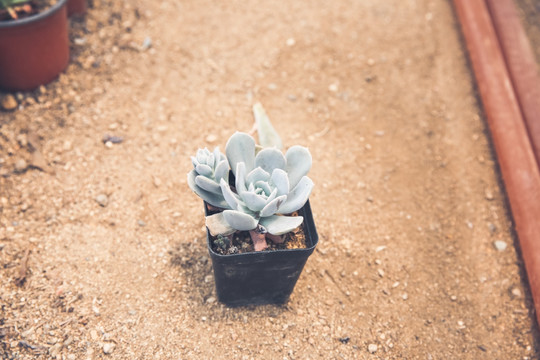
pixel 209 168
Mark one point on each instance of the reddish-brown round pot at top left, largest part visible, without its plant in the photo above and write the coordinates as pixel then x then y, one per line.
pixel 34 50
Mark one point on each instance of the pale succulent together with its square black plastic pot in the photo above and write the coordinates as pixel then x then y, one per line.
pixel 260 229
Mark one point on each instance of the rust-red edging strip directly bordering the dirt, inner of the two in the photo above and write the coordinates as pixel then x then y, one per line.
pixel 520 171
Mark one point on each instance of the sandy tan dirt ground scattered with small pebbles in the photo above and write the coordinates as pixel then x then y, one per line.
pixel 102 246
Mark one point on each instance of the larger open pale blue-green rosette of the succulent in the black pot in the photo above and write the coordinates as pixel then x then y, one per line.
pixel 268 185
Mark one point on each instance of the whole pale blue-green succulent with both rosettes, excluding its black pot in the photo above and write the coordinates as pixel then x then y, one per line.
pixel 268 185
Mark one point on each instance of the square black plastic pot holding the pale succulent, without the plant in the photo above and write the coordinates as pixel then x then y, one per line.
pixel 262 277
